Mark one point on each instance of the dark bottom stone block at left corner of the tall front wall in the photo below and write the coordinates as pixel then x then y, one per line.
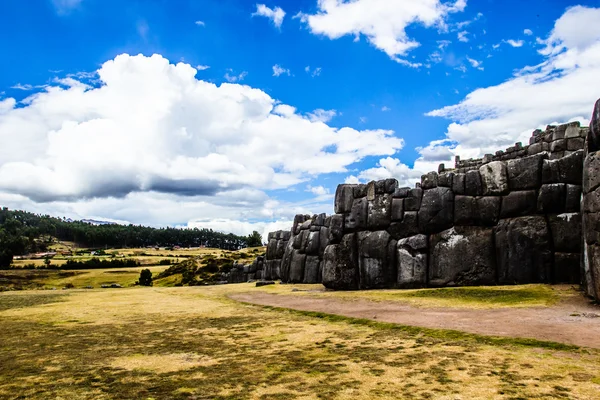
pixel 340 269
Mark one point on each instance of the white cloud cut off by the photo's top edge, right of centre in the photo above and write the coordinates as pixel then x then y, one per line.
pixel 382 22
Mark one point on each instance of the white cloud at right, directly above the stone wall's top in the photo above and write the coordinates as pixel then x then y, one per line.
pixel 556 91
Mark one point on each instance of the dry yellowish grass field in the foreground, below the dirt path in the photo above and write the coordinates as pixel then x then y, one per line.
pixel 195 343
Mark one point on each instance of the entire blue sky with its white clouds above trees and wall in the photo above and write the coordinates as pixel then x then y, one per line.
pixel 370 66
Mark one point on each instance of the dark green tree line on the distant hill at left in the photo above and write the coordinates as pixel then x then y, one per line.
pixel 20 232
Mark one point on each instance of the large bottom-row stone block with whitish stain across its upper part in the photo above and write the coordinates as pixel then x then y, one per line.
pixel 462 256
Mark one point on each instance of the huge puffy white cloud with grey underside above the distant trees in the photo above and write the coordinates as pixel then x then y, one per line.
pixel 152 144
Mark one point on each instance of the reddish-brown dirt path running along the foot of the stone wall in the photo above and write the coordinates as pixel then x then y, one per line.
pixel 572 321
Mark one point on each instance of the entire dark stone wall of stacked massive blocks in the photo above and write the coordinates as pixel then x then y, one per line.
pixel 514 217
